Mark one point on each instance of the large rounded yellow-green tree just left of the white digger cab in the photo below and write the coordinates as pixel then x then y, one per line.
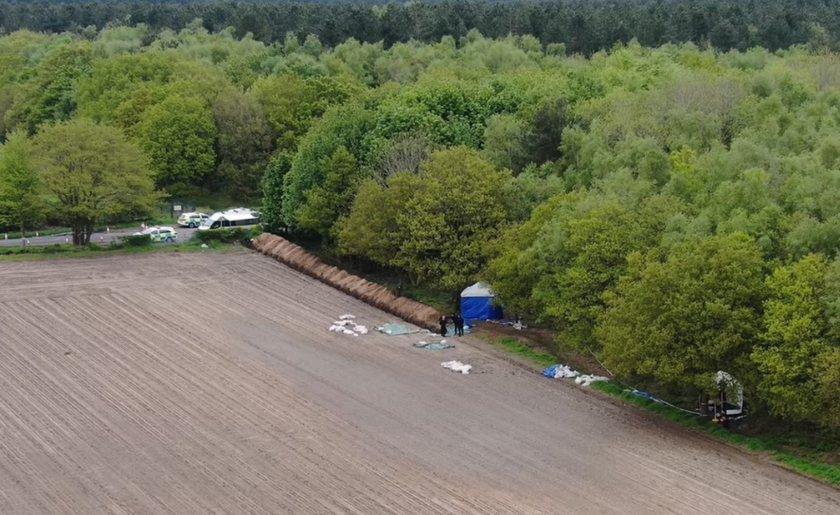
pixel 679 317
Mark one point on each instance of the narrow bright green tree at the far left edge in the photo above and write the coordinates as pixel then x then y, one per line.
pixel 21 204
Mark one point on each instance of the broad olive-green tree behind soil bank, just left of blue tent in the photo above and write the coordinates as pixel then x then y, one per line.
pixel 438 226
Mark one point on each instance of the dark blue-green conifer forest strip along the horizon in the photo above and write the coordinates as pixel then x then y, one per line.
pixel 583 26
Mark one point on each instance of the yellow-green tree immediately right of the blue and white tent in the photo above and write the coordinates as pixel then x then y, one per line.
pixel 558 265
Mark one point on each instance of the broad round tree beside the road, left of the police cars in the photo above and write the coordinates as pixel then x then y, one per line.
pixel 94 173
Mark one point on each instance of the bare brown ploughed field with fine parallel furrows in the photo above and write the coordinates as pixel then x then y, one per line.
pixel 187 383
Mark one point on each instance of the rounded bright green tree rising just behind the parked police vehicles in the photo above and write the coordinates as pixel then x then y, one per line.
pixel 178 135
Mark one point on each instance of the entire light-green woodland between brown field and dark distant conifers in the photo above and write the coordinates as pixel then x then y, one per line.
pixel 671 209
